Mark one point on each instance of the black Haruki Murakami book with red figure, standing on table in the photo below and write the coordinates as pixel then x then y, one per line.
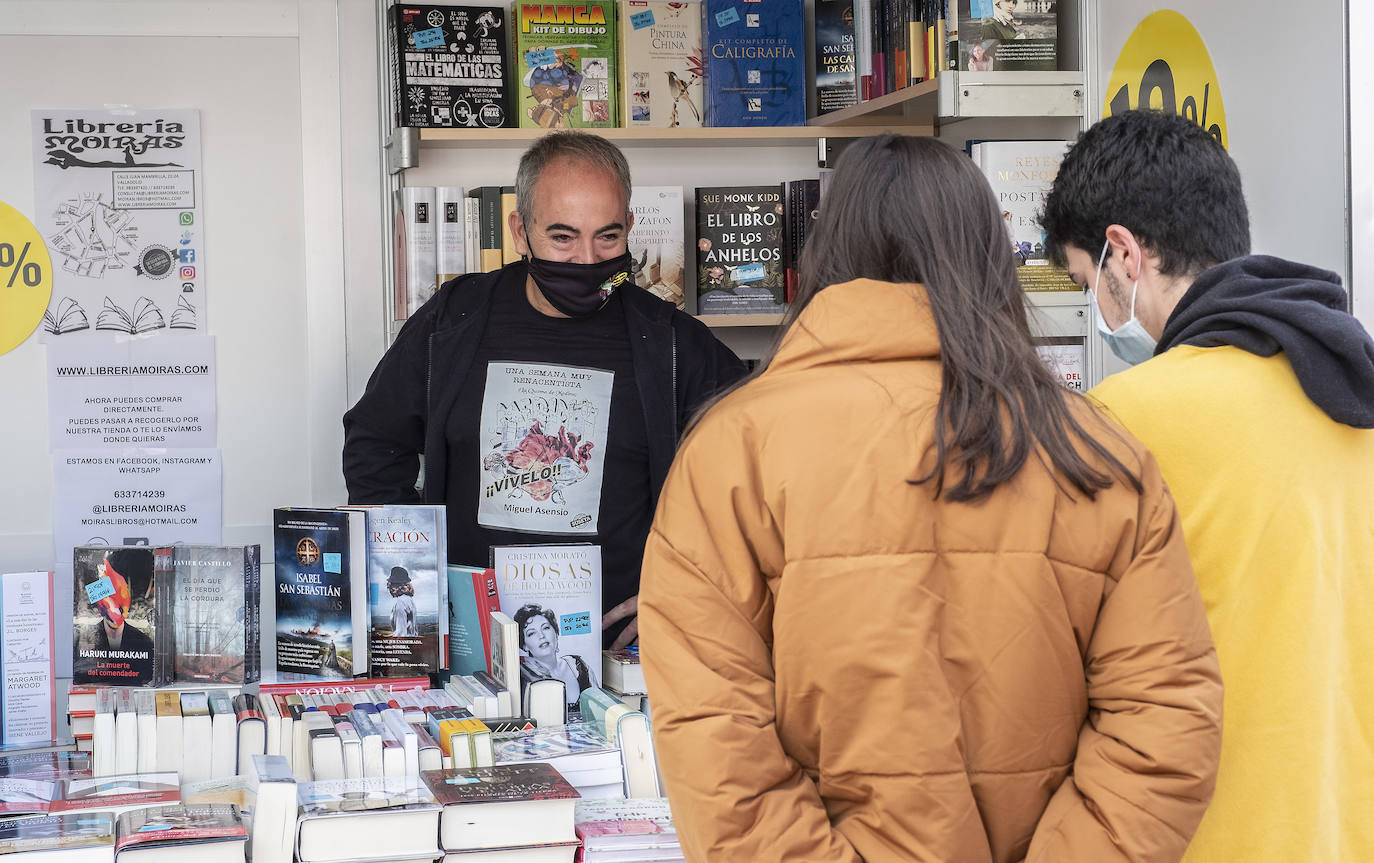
pixel 115 616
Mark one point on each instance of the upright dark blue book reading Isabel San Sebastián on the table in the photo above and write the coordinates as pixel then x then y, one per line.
pixel 321 578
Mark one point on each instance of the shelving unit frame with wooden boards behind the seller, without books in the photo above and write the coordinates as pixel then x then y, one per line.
pixel 956 107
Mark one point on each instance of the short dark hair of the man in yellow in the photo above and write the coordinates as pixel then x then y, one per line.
pixel 1163 178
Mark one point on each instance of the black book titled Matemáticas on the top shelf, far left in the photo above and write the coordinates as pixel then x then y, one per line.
pixel 450 65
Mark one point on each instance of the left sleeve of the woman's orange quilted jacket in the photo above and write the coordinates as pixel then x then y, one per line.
pixel 707 631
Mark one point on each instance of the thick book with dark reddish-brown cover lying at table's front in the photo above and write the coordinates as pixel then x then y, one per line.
pixel 506 813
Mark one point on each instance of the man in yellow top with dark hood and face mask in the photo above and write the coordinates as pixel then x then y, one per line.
pixel 1255 391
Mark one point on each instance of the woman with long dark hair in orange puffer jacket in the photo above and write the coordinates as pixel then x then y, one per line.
pixel 908 598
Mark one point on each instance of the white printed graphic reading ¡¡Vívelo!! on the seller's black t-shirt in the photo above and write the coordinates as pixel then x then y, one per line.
pixel 543 440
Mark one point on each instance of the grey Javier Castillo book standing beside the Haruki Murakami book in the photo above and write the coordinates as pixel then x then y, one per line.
pixel 211 612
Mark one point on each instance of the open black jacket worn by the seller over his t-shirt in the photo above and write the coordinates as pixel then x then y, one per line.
pixel 679 365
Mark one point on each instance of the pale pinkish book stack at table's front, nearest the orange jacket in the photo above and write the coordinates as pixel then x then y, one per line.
pixel 620 831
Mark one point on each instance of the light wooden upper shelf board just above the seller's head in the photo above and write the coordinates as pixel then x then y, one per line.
pixel 715 137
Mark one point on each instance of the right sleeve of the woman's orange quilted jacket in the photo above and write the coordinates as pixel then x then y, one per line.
pixel 1148 756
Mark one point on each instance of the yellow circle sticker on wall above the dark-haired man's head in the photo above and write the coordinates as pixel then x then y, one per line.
pixel 1166 67
